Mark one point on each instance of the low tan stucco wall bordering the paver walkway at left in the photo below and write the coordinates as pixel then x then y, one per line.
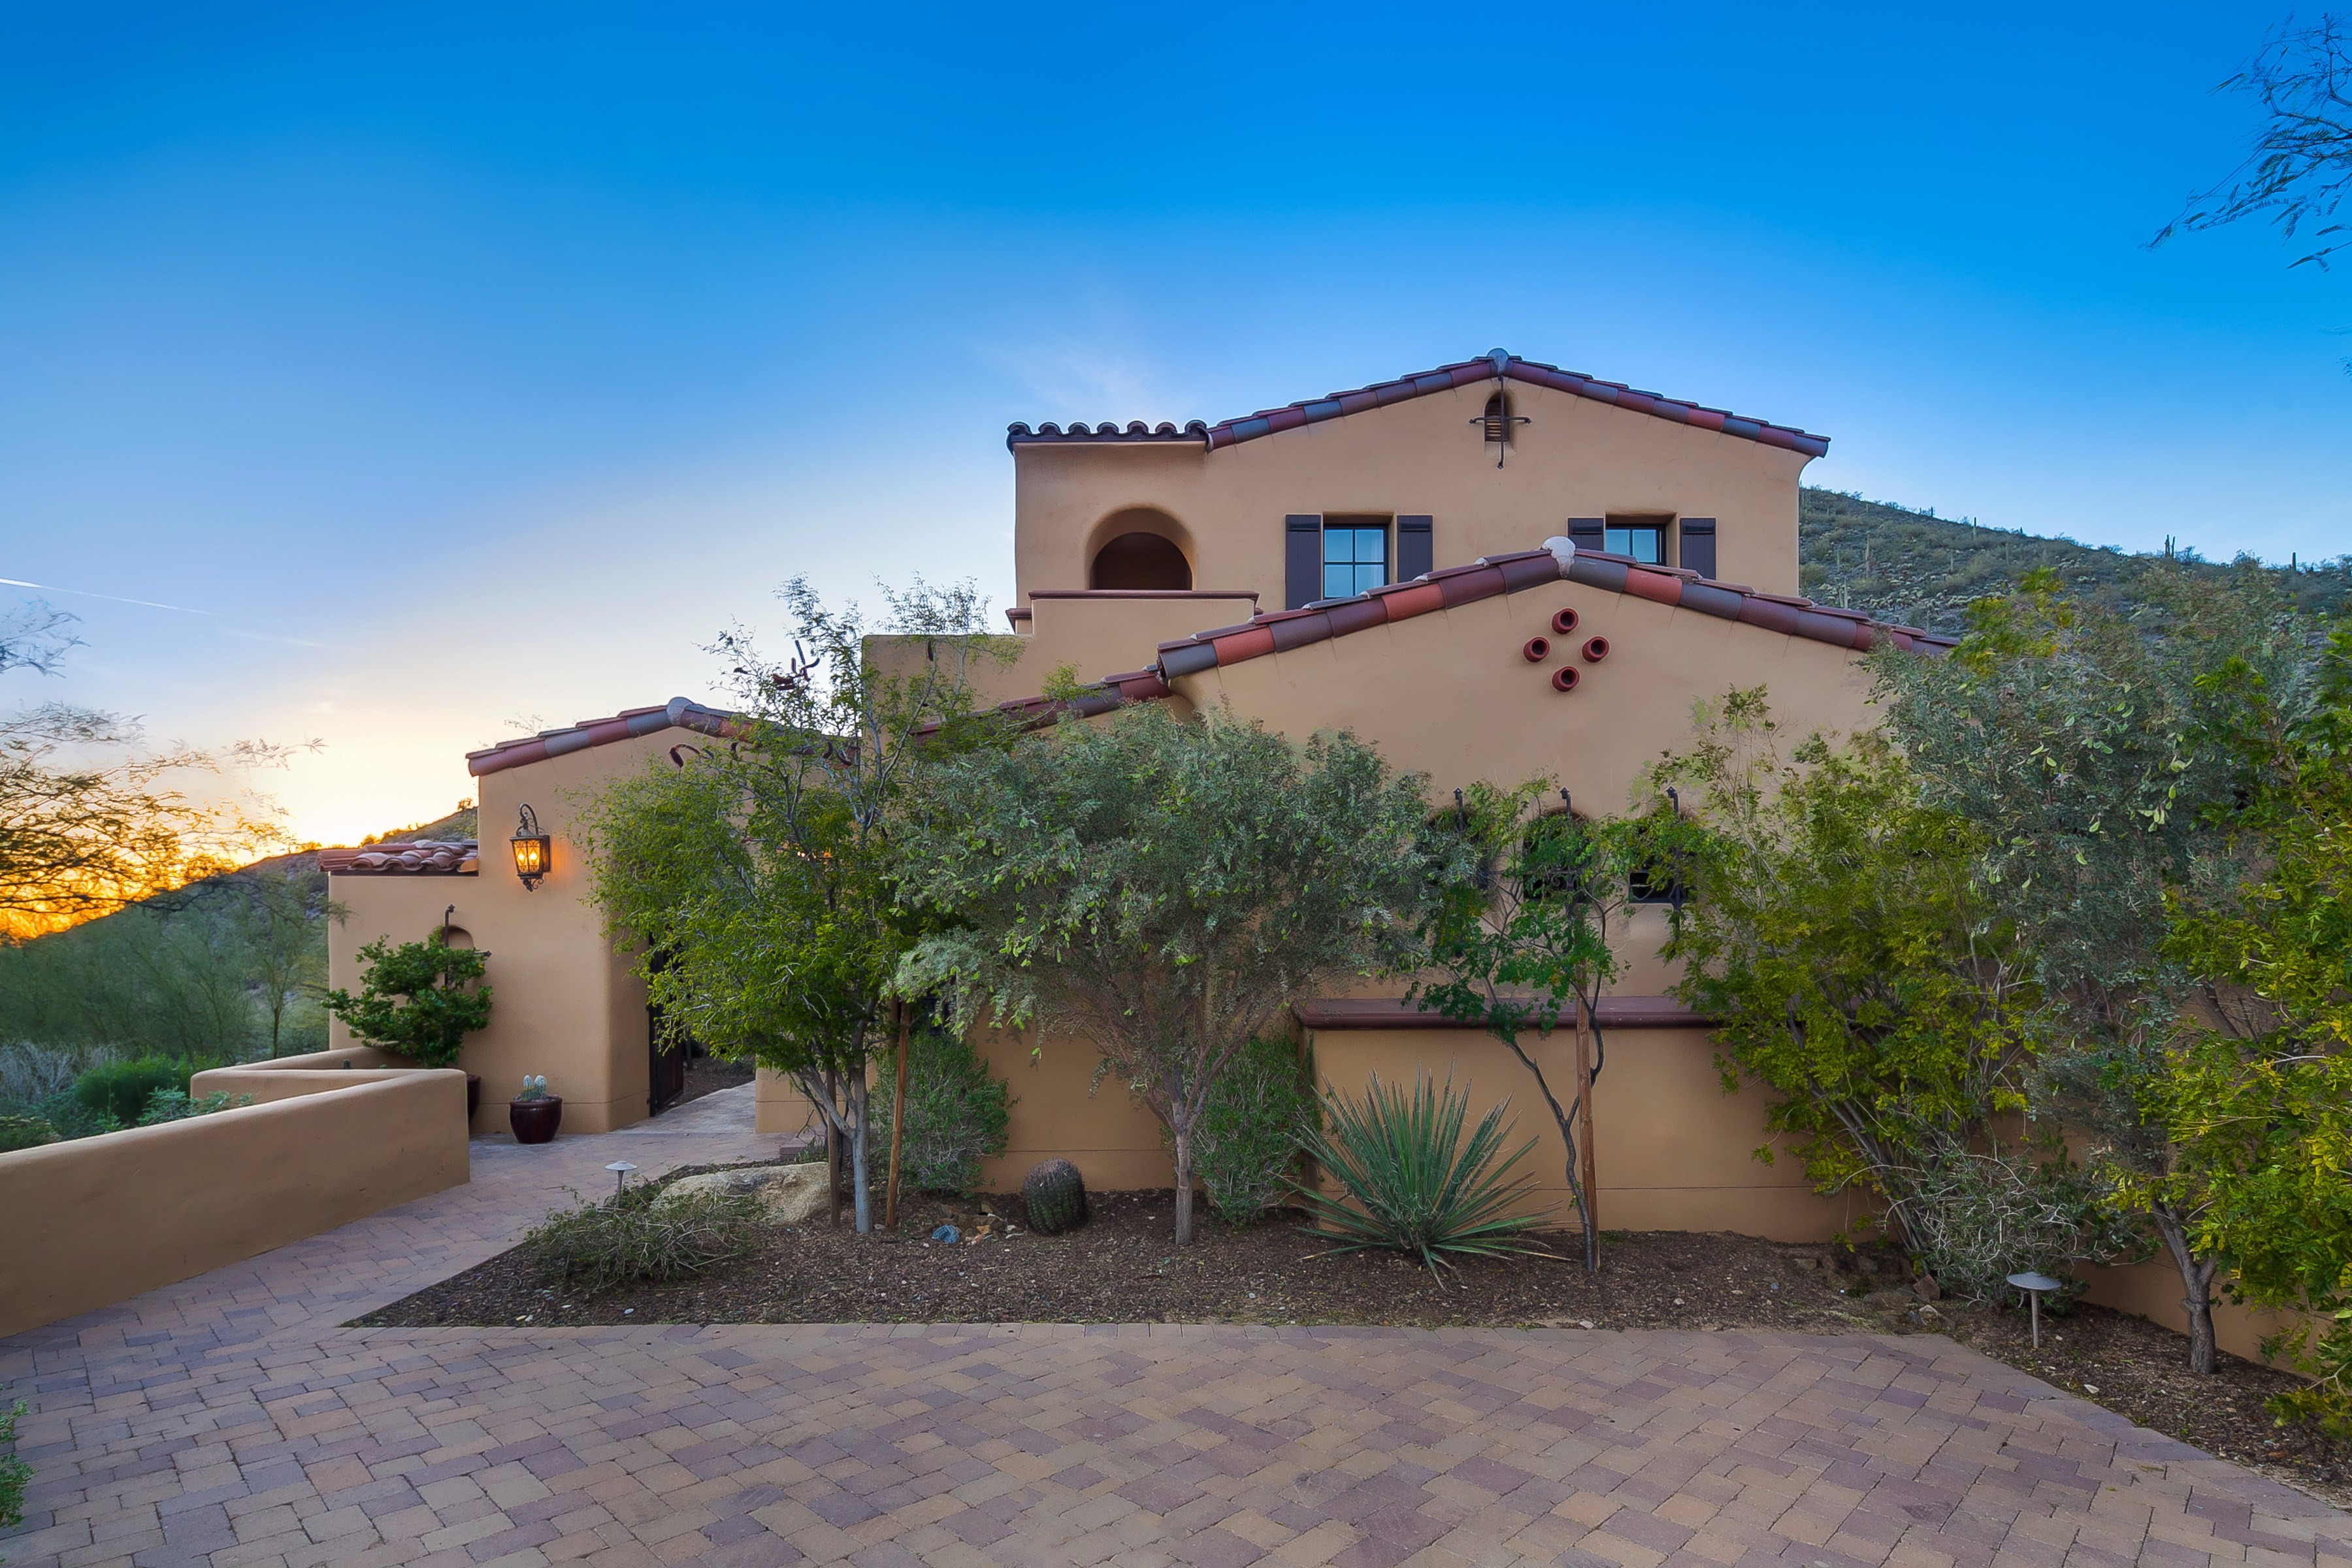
pixel 95 1221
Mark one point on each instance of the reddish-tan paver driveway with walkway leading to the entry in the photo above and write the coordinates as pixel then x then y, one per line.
pixel 232 1421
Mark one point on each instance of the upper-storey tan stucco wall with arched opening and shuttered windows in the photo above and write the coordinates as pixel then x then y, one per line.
pixel 1577 460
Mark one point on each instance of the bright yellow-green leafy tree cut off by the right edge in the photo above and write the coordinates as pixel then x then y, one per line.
pixel 2259 1097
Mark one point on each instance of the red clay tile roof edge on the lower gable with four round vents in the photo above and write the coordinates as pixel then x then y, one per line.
pixel 1518 572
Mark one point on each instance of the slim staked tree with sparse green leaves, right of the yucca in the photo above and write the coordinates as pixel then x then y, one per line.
pixel 1521 930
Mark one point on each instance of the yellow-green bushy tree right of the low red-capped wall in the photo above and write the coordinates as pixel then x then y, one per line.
pixel 1838 937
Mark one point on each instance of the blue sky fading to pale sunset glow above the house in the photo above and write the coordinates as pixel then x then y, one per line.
pixel 335 330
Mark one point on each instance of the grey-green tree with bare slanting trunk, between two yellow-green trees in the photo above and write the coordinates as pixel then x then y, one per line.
pixel 2085 763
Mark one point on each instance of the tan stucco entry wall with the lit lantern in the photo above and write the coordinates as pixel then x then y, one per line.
pixel 563 1003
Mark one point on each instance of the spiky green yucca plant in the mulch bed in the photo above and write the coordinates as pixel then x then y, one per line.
pixel 1412 1181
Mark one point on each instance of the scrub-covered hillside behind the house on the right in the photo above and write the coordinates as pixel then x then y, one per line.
pixel 1923 570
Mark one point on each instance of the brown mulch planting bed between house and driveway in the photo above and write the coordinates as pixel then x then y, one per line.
pixel 1125 1268
